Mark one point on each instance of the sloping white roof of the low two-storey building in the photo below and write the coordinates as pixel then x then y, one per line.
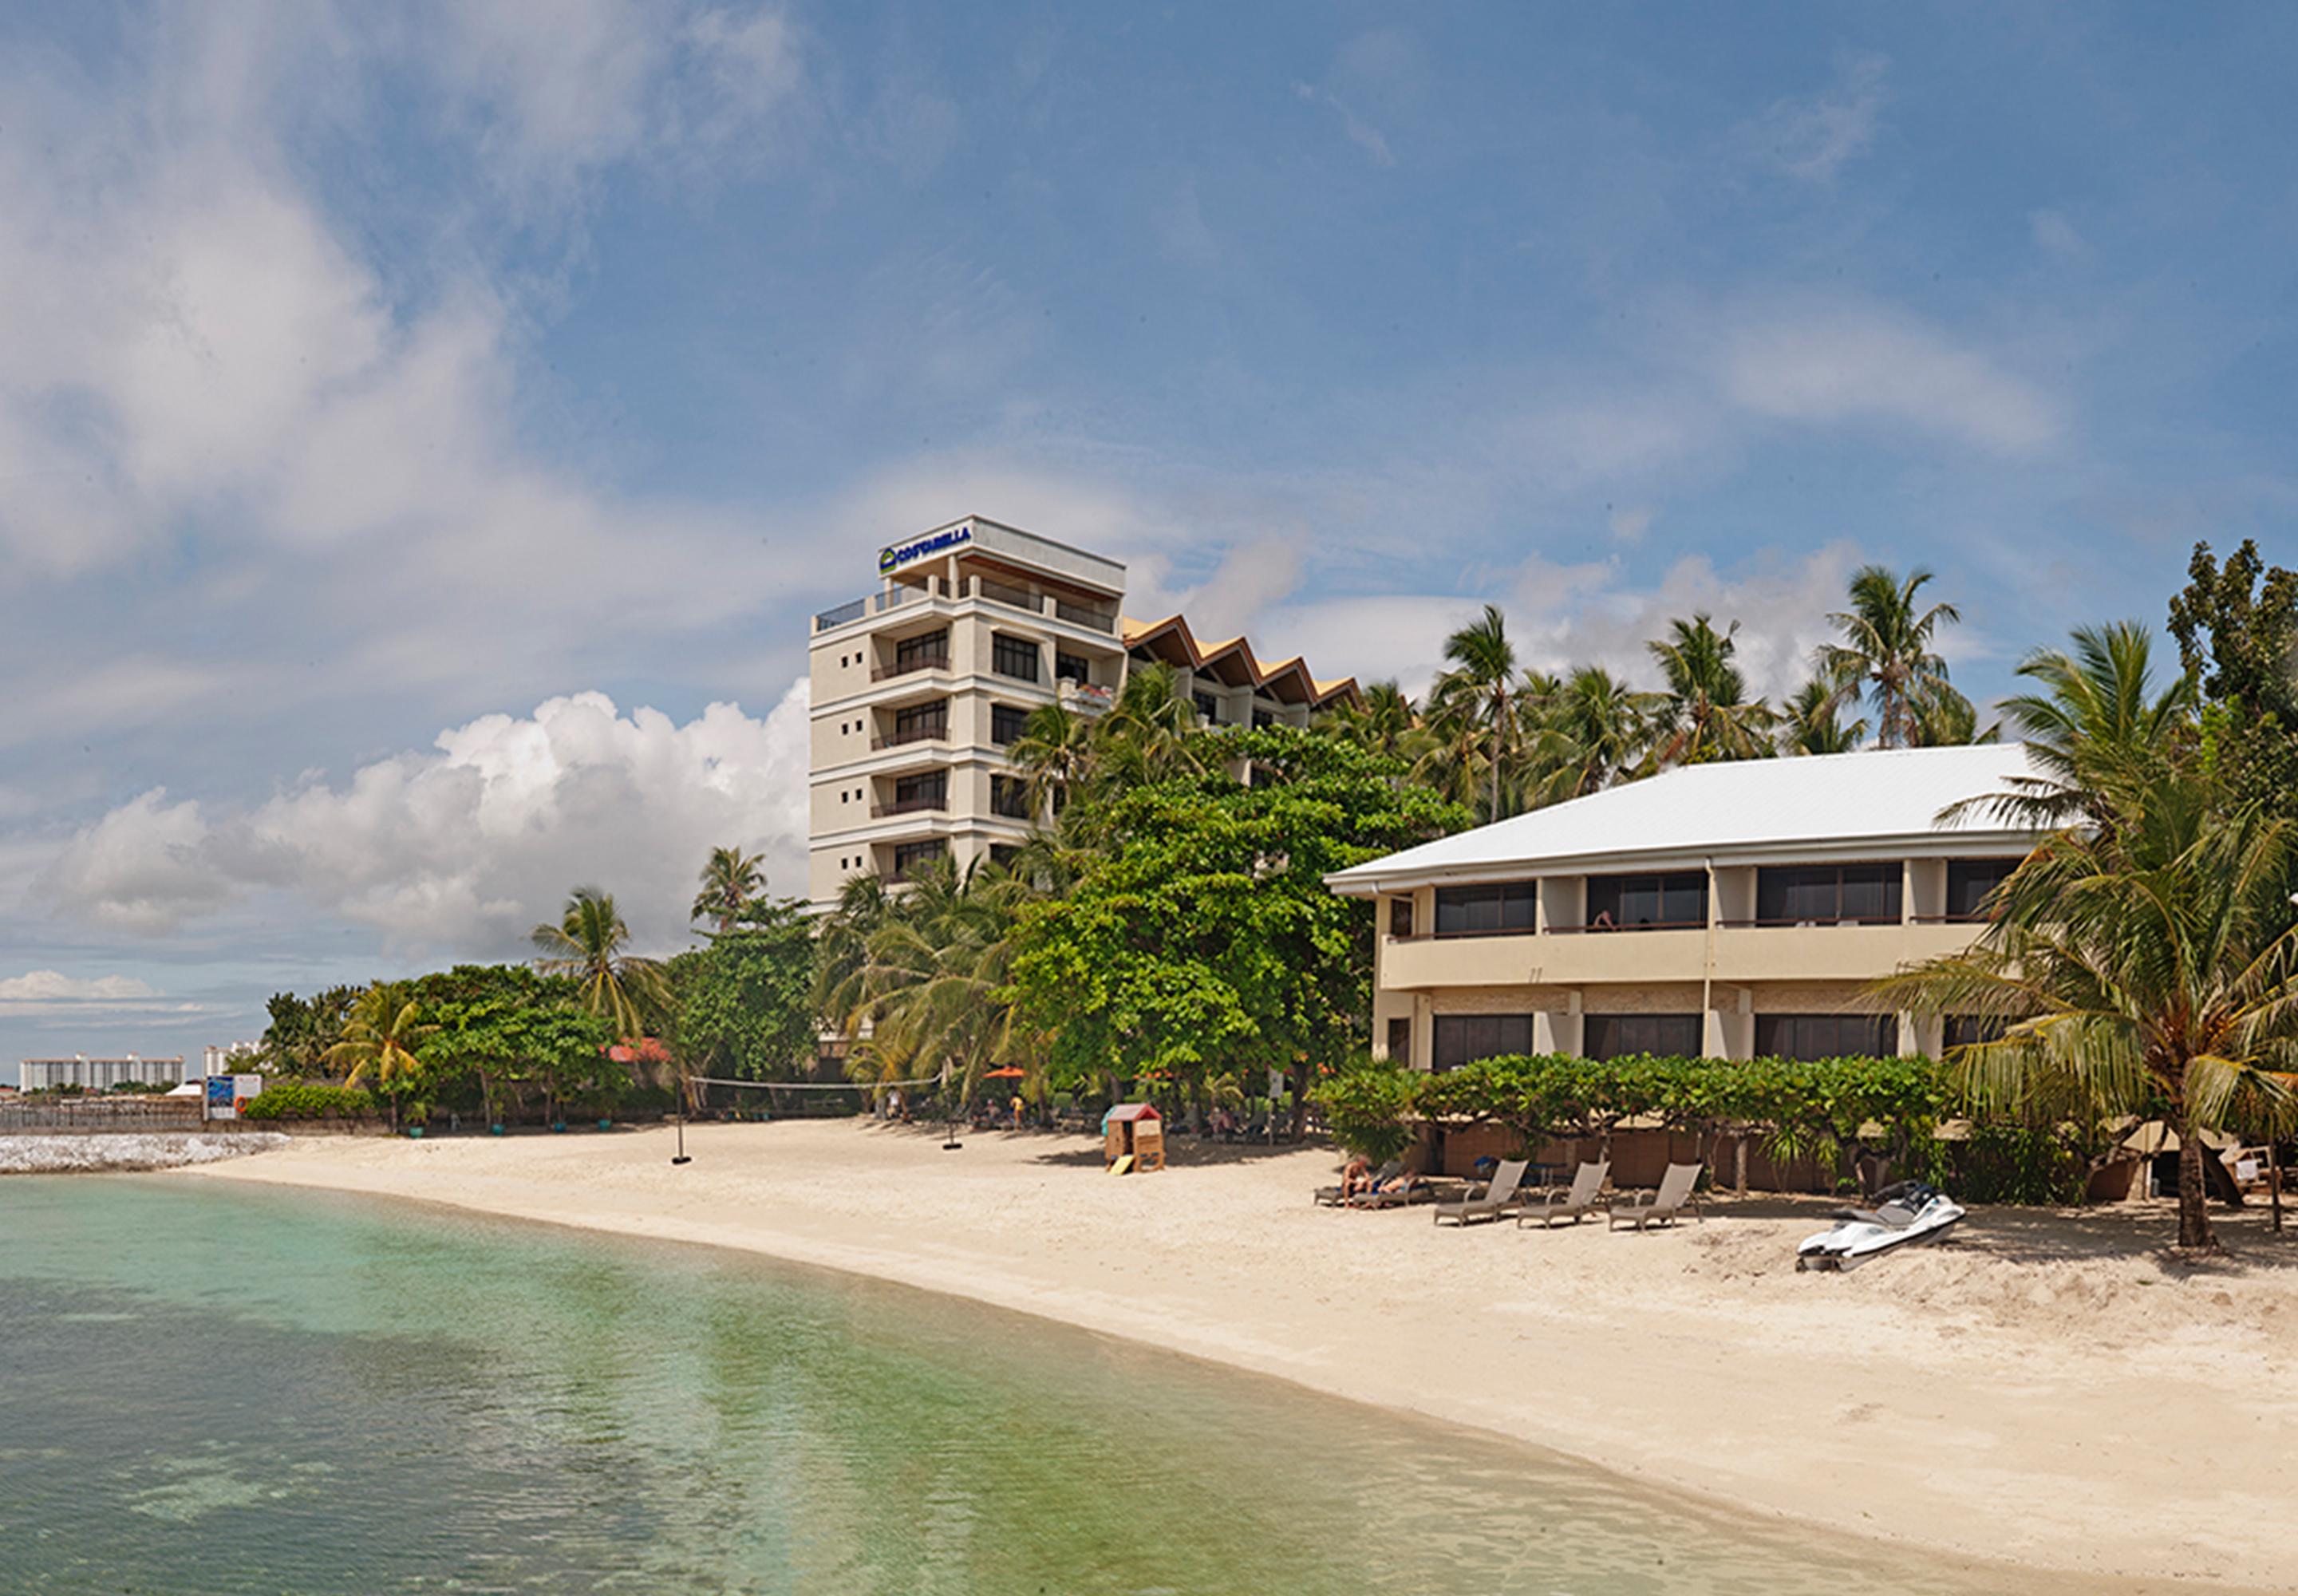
pixel 1823 808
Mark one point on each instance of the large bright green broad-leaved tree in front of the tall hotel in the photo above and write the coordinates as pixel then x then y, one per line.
pixel 1203 939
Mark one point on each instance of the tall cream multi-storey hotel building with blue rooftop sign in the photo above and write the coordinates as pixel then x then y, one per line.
pixel 920 689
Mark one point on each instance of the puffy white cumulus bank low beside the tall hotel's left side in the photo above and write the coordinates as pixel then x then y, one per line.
pixel 461 850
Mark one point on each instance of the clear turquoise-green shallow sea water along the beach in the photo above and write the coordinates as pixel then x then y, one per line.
pixel 249 1390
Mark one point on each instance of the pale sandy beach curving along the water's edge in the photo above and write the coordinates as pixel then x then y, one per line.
pixel 2046 1390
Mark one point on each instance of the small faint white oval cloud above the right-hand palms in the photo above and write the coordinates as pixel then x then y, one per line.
pixel 1830 362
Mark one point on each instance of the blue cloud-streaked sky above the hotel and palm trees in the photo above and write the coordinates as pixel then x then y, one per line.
pixel 426 431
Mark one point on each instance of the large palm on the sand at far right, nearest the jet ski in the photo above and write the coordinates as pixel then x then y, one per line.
pixel 2141 969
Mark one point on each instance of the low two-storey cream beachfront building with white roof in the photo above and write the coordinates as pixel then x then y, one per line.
pixel 1725 912
